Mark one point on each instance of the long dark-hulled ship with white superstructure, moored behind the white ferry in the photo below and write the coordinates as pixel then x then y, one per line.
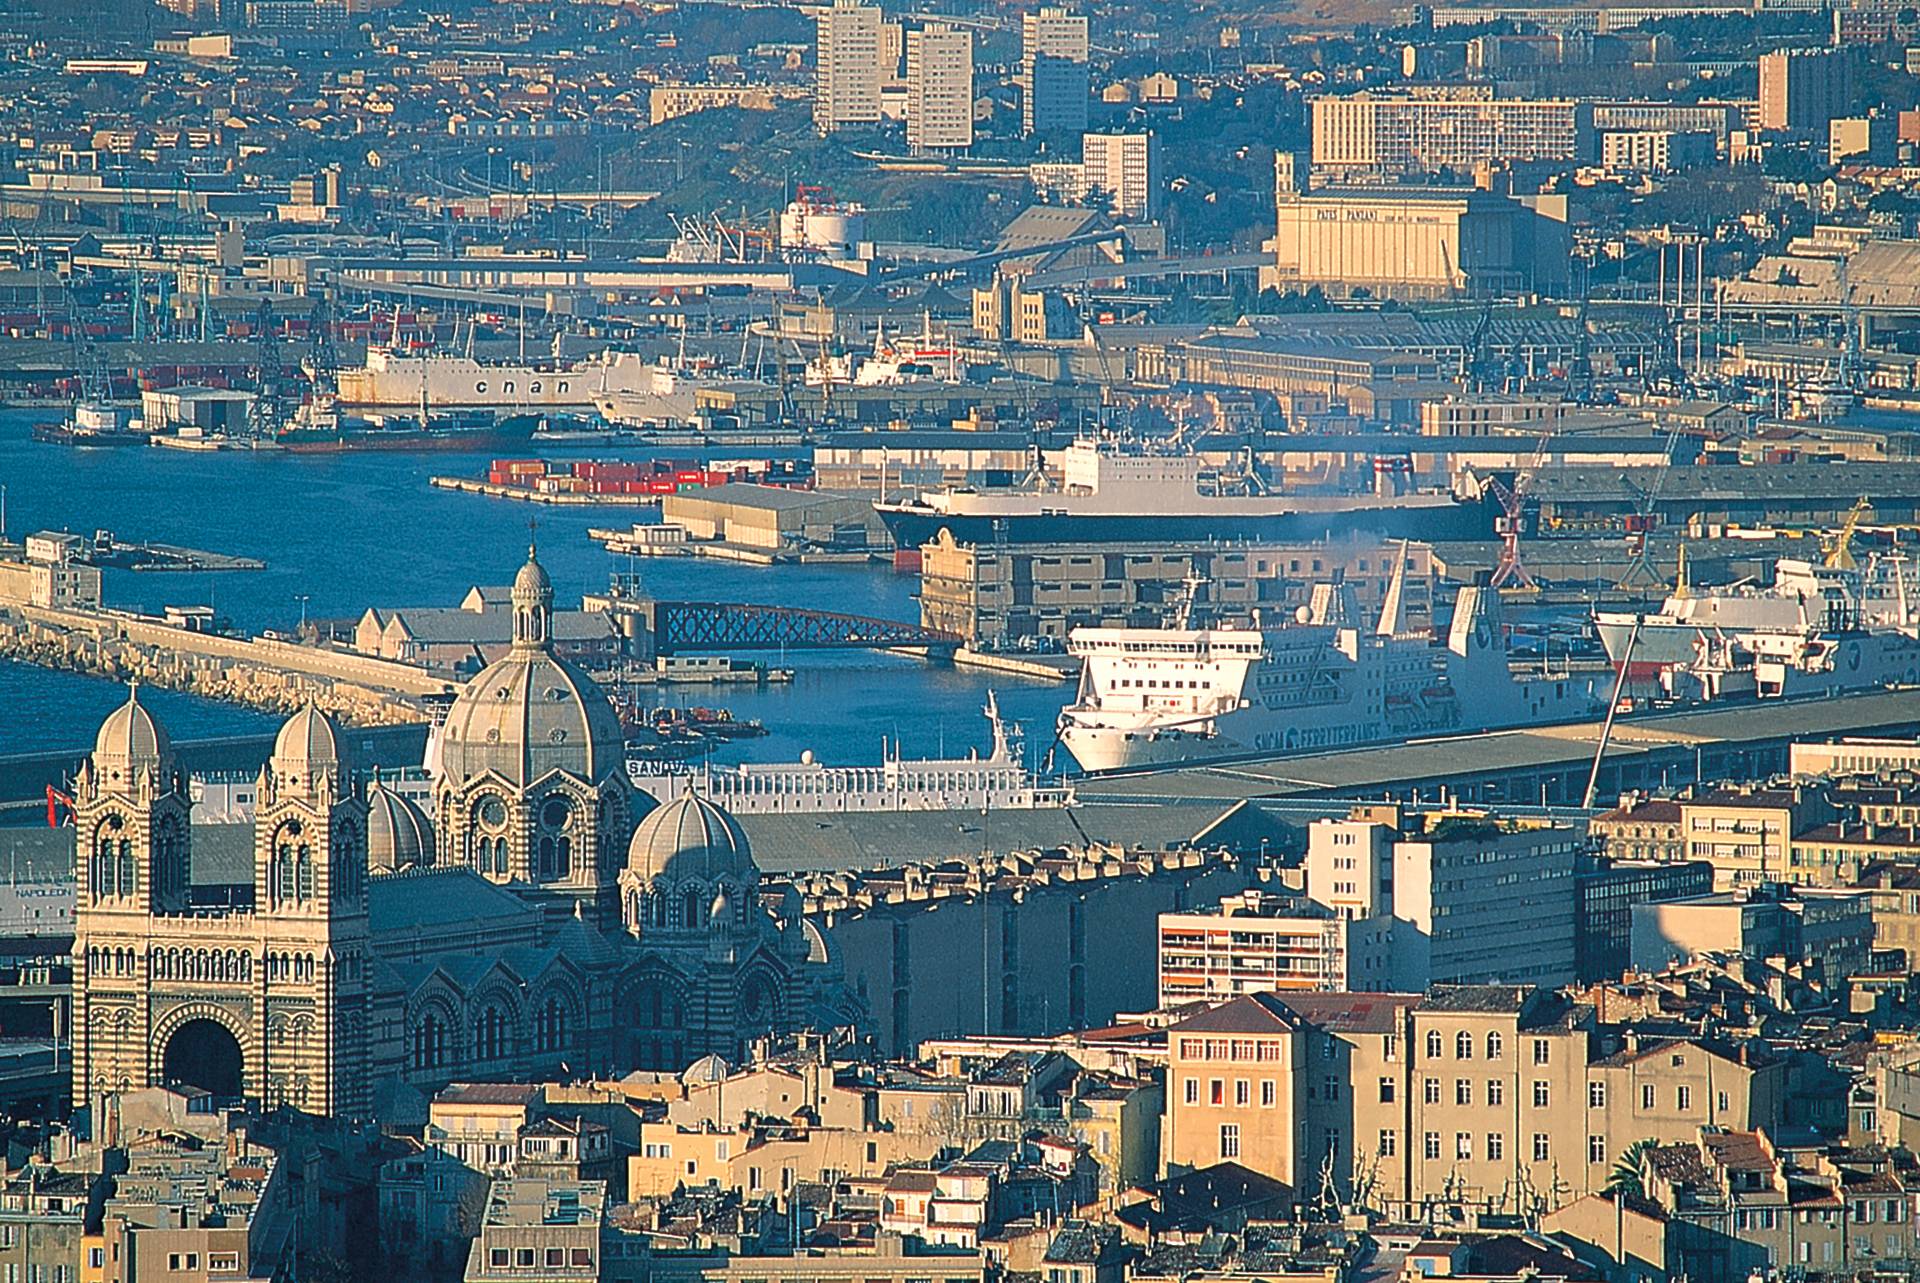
pixel 1113 491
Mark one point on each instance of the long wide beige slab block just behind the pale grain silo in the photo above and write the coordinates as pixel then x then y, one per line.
pixel 1387 135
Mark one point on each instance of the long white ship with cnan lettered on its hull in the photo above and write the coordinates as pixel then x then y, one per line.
pixel 454 381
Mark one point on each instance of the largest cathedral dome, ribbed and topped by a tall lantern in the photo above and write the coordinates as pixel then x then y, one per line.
pixel 531 714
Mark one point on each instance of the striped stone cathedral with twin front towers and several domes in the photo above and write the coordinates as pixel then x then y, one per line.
pixel 539 919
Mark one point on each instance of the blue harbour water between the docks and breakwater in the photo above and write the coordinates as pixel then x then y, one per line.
pixel 366 529
